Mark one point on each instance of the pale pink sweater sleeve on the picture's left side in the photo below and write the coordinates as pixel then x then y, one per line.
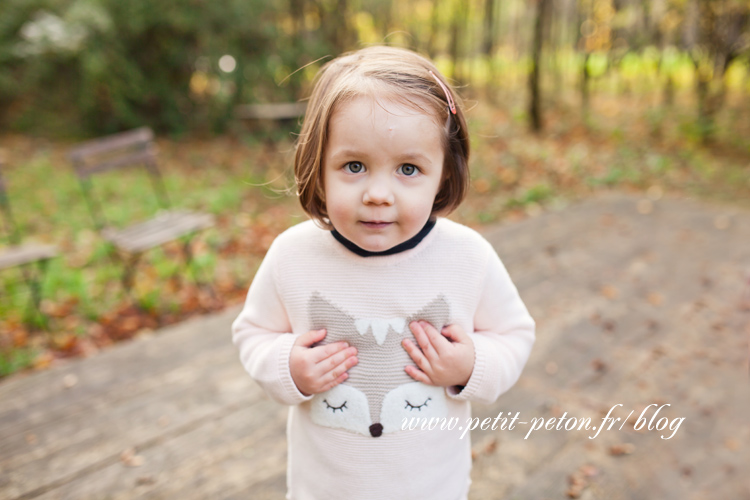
pixel 262 333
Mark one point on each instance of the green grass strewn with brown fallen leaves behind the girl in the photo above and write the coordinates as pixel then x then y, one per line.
pixel 624 143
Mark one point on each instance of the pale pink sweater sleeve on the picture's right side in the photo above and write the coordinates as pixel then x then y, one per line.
pixel 504 333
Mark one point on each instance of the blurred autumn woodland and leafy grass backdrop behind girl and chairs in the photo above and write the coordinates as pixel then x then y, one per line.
pixel 565 98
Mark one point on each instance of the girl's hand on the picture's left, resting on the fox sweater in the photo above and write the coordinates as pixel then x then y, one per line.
pixel 318 369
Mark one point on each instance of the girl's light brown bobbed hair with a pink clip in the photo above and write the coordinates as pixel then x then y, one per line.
pixel 401 75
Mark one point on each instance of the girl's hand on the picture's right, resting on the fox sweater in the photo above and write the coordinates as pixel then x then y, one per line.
pixel 446 358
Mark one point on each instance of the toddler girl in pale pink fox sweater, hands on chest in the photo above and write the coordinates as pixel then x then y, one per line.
pixel 379 311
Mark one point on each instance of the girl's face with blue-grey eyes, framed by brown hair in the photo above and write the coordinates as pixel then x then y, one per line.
pixel 381 171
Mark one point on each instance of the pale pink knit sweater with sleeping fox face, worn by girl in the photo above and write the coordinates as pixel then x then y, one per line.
pixel 307 281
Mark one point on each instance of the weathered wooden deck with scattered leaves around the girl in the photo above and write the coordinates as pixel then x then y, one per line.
pixel 632 309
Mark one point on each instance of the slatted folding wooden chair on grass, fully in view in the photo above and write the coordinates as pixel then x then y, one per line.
pixel 134 148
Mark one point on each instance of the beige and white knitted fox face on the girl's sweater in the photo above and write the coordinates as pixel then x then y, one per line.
pixel 379 394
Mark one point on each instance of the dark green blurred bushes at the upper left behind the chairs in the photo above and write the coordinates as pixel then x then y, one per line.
pixel 74 67
